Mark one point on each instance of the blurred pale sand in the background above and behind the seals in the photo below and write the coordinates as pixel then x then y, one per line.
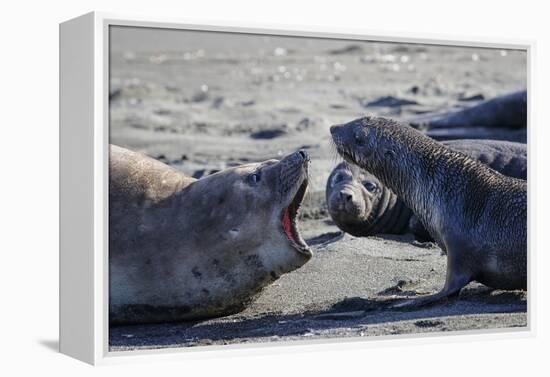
pixel 204 101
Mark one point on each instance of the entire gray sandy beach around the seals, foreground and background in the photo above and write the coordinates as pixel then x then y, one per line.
pixel 201 102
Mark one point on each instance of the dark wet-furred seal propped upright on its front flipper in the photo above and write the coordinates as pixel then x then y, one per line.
pixel 478 216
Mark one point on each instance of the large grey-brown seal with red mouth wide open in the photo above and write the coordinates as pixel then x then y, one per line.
pixel 186 249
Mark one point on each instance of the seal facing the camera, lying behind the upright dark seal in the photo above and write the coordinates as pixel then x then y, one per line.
pixel 361 205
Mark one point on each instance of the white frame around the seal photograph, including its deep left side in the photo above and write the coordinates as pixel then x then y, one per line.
pixel 84 138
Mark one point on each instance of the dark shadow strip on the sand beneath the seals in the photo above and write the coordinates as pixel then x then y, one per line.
pixel 352 312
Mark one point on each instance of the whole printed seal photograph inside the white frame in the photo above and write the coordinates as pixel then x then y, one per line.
pixel 268 188
